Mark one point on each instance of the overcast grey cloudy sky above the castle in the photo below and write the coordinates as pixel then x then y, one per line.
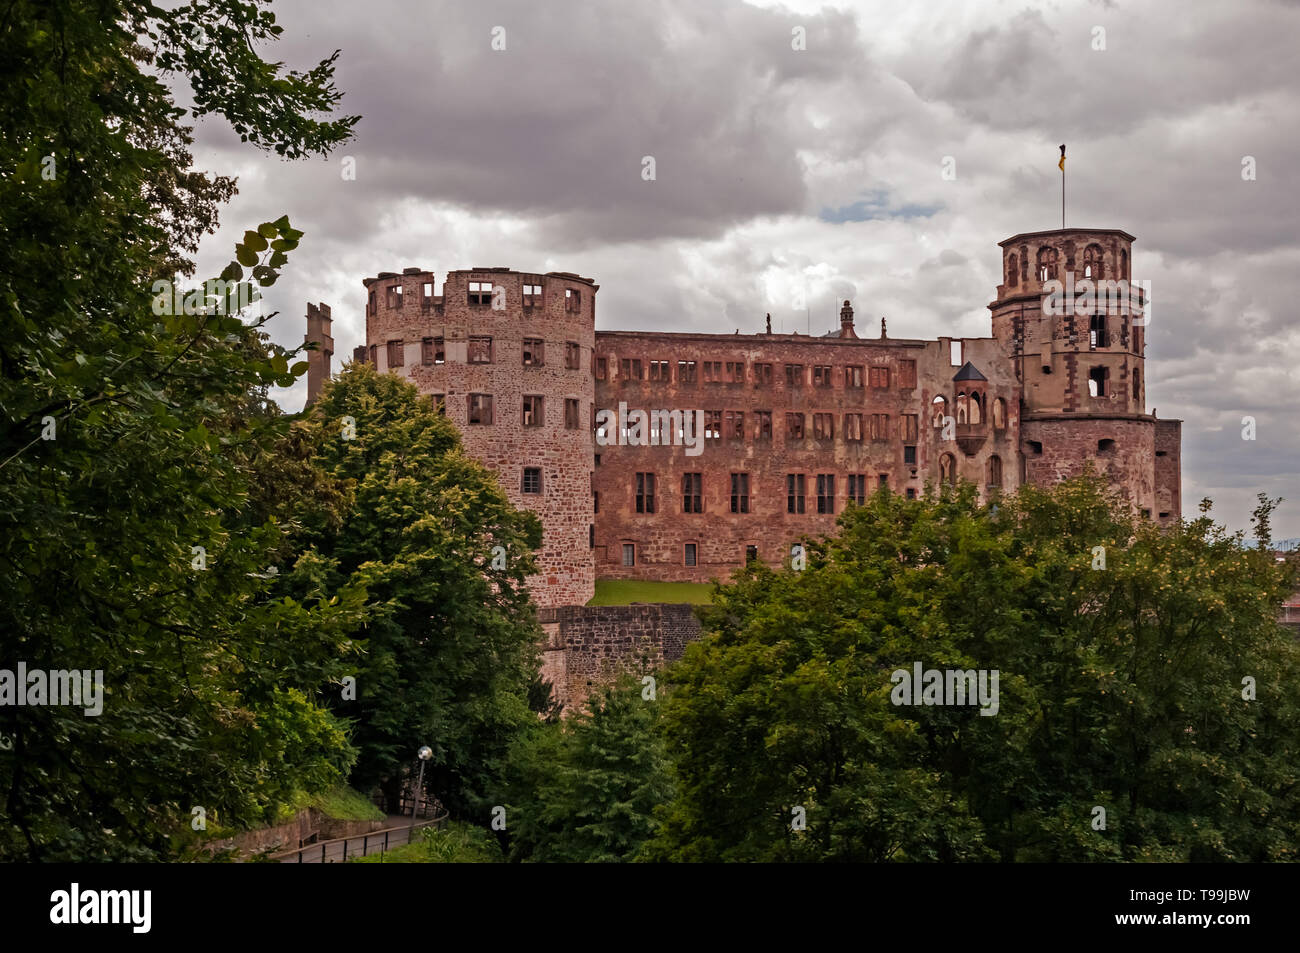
pixel 778 168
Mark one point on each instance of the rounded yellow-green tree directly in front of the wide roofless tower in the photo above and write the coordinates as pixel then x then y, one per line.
pixel 452 642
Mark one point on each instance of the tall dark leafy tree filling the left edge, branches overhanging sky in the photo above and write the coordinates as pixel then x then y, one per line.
pixel 133 432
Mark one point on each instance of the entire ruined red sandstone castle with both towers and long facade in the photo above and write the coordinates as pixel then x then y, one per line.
pixel 795 427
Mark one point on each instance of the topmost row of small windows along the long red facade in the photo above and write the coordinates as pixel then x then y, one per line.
pixel 761 375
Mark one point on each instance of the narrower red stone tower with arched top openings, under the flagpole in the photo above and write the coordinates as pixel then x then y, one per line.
pixel 1072 320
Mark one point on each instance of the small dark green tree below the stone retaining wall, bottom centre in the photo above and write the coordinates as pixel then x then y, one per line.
pixel 587 790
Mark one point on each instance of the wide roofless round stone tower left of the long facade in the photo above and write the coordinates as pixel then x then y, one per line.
pixel 509 354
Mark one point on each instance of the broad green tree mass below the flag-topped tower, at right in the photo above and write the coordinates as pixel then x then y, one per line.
pixel 1121 651
